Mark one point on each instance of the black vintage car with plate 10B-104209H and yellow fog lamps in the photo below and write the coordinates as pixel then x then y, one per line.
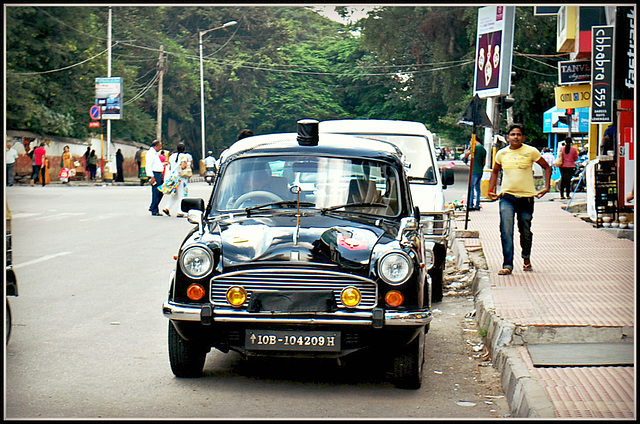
pixel 309 246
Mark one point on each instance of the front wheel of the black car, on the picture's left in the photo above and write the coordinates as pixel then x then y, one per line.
pixel 186 357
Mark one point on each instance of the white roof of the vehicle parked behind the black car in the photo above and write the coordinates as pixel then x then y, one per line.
pixel 373 126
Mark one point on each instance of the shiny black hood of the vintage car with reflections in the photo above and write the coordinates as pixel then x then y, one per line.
pixel 319 239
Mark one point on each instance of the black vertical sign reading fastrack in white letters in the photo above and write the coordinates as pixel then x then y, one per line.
pixel 625 51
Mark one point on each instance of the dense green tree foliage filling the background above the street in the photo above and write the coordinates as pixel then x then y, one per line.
pixel 277 65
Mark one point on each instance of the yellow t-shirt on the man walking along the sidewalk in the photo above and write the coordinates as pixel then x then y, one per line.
pixel 517 170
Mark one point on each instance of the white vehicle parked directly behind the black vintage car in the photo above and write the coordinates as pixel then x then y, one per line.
pixel 426 181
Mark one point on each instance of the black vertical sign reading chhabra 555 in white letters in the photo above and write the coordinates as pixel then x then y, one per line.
pixel 602 75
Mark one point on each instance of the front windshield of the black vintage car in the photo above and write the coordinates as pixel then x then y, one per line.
pixel 360 185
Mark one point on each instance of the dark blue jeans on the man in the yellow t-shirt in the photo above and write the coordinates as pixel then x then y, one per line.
pixel 510 206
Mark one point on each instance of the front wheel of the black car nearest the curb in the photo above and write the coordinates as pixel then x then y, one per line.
pixel 408 364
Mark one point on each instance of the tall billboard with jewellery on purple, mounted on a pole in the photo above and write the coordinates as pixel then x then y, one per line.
pixel 494 50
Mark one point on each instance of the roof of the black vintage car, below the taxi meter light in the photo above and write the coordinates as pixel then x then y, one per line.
pixel 328 144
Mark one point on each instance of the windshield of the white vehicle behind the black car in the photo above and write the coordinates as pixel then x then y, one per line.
pixel 416 151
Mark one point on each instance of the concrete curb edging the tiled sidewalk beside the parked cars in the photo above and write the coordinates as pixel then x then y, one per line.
pixel 526 397
